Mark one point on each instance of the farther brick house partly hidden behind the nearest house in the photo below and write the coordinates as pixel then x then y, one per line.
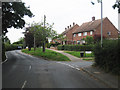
pixel 68 33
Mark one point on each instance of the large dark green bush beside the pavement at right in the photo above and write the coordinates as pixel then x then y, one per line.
pixel 106 57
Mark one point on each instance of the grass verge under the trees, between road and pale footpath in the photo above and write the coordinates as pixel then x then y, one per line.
pixel 48 54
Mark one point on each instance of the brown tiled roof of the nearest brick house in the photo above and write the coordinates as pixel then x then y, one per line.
pixel 88 26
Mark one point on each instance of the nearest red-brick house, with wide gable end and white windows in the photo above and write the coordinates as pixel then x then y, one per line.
pixel 94 28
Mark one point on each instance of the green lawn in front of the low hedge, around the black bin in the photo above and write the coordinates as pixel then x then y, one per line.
pixel 87 56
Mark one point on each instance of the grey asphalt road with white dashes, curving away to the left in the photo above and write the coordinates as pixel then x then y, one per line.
pixel 25 71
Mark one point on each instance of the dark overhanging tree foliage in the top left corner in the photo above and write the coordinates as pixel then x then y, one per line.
pixel 13 14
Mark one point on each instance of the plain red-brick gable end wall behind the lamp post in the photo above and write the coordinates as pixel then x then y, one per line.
pixel 107 27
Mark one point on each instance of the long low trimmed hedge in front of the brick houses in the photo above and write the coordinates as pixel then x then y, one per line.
pixel 75 47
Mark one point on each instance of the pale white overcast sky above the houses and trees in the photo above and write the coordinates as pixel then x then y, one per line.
pixel 64 12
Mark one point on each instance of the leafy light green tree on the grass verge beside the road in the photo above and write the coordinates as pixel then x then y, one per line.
pixel 40 33
